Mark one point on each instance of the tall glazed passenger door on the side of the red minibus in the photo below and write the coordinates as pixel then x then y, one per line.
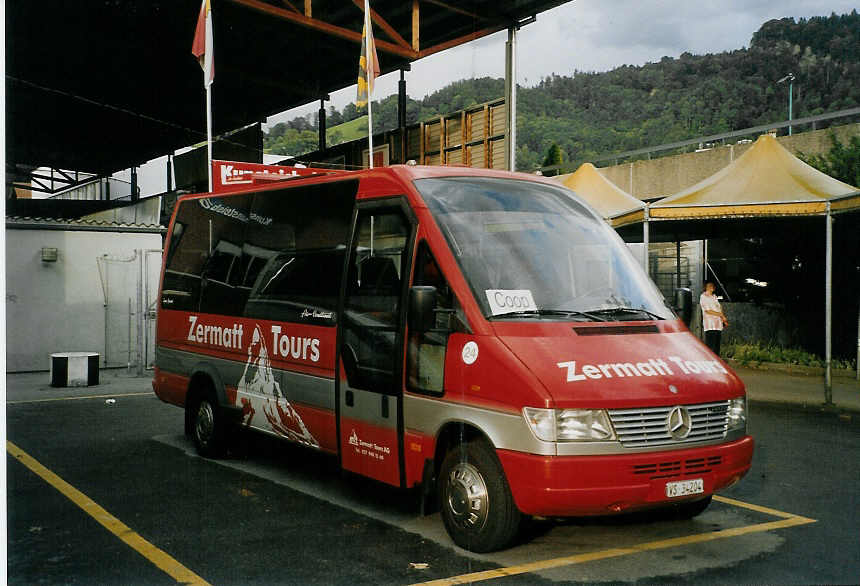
pixel 371 342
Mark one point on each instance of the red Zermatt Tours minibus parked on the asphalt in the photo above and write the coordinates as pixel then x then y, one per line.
pixel 481 335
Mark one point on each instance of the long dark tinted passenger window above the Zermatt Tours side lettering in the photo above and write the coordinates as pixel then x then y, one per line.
pixel 273 255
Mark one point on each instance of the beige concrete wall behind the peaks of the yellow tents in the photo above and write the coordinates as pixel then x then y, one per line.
pixel 668 175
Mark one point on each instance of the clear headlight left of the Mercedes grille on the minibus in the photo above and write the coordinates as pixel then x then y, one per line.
pixel 567 425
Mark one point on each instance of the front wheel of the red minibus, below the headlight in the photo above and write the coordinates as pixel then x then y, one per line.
pixel 475 500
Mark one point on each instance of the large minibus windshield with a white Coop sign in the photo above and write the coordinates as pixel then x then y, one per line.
pixel 531 250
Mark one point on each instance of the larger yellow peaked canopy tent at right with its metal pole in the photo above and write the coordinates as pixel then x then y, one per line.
pixel 767 181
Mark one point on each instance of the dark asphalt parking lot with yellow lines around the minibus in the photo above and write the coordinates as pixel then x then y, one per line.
pixel 104 488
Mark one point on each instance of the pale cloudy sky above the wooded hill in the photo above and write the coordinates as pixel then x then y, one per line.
pixel 594 35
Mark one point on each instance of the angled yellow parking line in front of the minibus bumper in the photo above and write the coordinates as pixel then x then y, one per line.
pixel 788 520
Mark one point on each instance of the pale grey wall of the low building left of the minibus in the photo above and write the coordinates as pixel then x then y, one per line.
pixel 59 306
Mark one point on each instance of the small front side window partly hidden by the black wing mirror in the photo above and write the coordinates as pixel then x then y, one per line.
pixel 426 350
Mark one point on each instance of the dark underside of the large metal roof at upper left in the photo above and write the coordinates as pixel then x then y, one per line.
pixel 106 86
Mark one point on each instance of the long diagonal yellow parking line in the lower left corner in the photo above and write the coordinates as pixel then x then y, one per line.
pixel 161 559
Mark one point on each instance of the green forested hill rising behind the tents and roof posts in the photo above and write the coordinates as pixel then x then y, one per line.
pixel 589 114
